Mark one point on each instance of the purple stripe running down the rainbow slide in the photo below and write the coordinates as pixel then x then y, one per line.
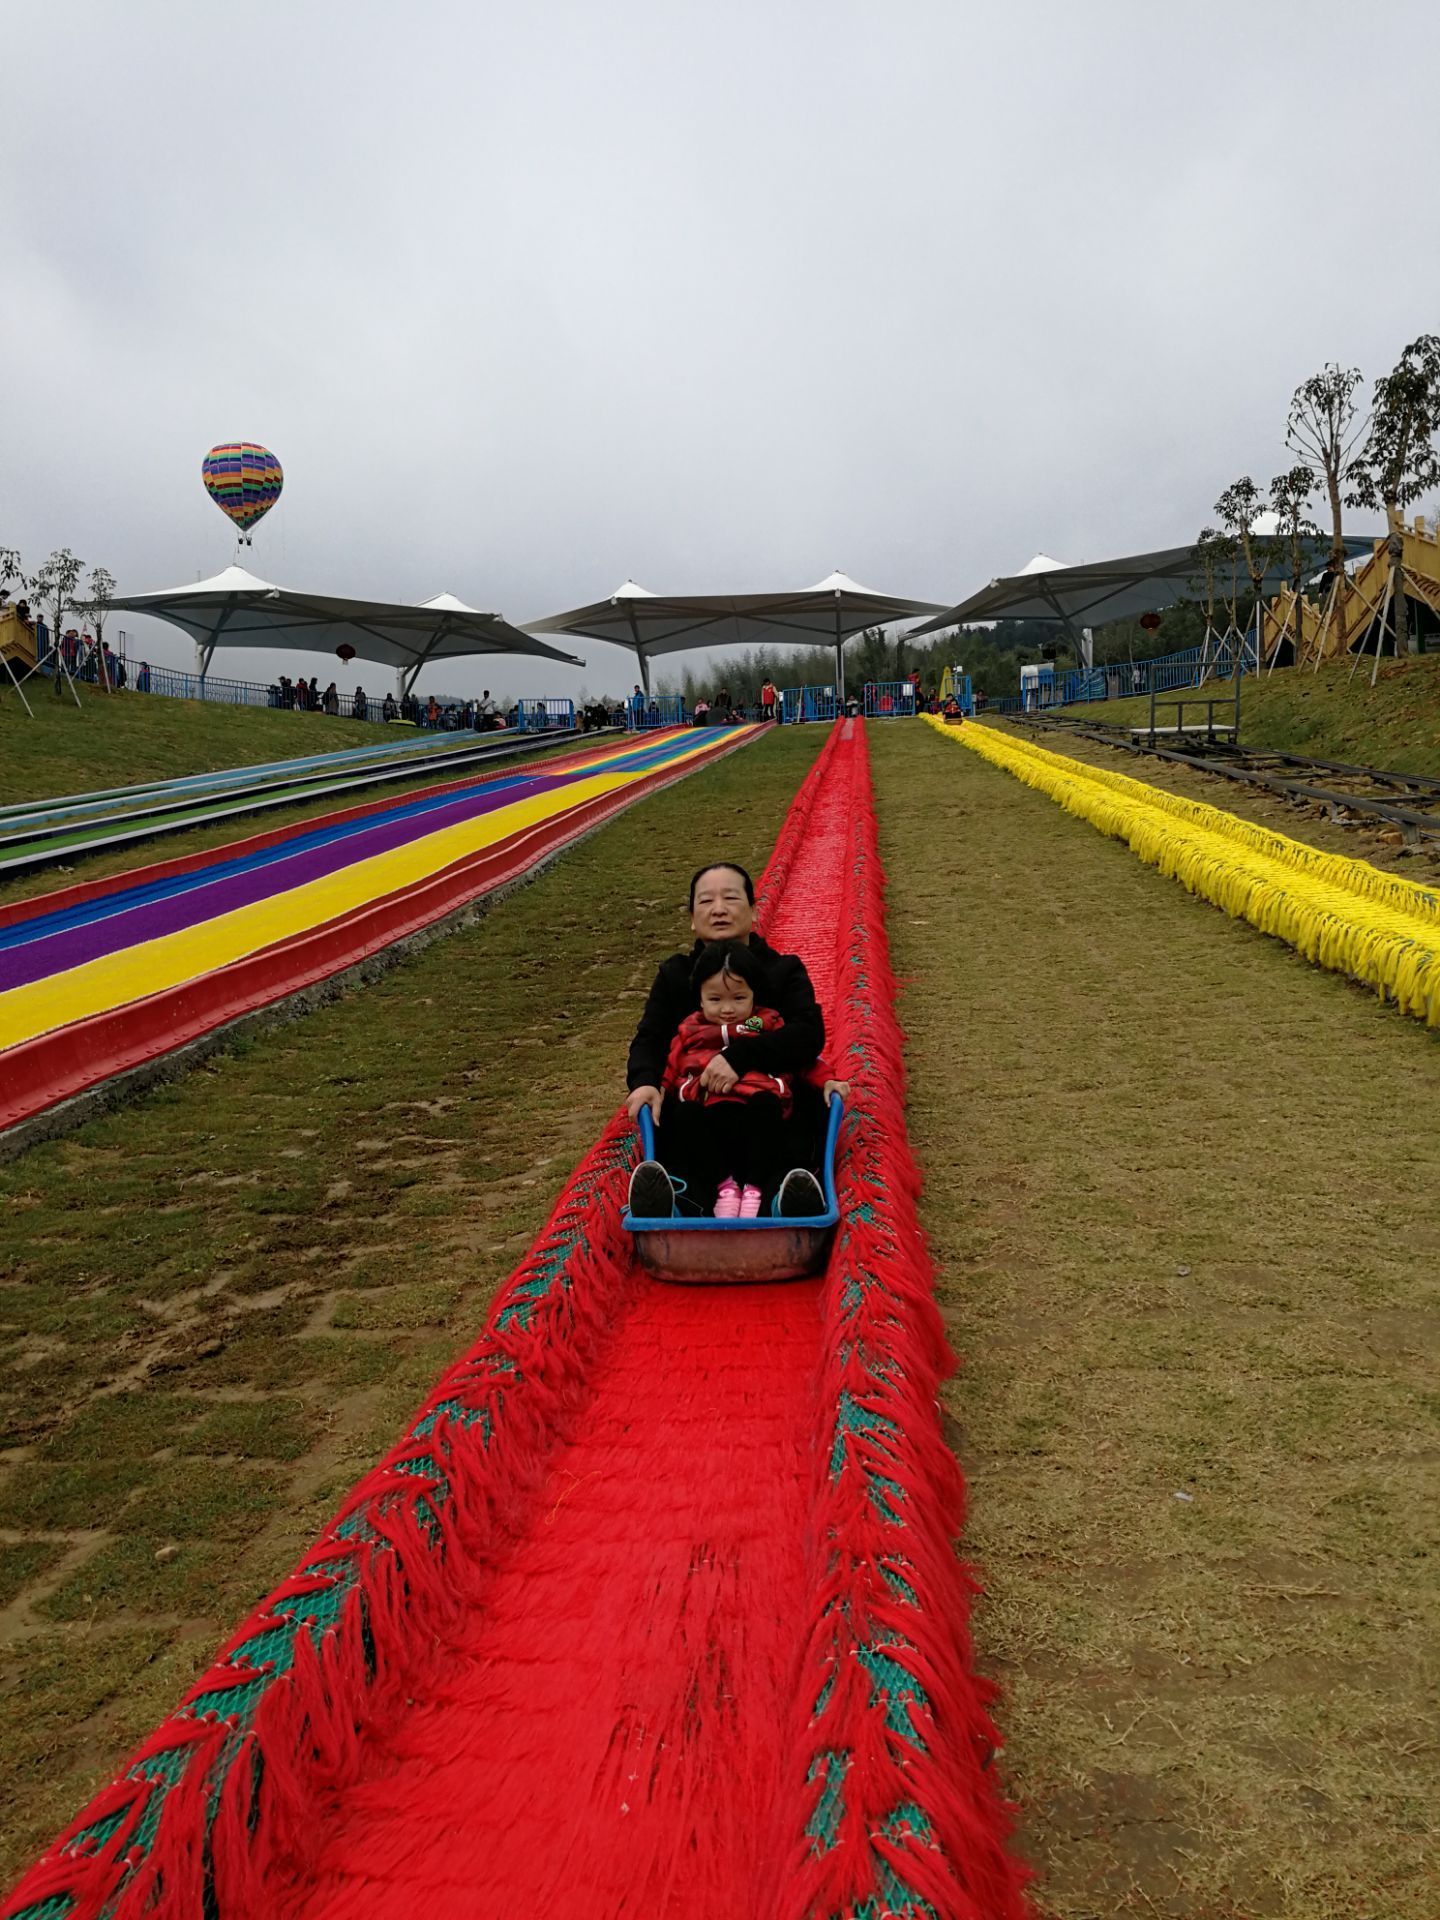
pixel 20 967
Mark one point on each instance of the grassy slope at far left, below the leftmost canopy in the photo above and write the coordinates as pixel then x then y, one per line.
pixel 118 740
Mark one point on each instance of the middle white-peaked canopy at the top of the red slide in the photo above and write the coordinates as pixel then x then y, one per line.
pixel 828 613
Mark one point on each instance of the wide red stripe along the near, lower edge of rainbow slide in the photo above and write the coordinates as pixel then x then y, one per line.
pixel 55 1067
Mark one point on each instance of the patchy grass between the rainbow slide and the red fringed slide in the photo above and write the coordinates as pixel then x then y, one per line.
pixel 220 1305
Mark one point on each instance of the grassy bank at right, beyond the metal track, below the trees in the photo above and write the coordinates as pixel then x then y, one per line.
pixel 1397 723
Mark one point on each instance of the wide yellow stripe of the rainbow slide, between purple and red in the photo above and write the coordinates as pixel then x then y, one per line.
pixel 174 959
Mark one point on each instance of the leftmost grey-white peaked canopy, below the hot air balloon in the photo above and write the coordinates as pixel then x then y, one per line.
pixel 237 610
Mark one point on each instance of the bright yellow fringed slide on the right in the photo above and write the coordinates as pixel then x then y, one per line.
pixel 1339 913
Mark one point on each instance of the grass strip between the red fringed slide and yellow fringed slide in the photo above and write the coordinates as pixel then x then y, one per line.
pixel 1180 1191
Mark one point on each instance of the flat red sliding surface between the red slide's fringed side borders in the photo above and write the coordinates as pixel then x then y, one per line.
pixel 608 1737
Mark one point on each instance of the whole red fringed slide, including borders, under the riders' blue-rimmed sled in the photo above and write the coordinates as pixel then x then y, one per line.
pixel 652 1612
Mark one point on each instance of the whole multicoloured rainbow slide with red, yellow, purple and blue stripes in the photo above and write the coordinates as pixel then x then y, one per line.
pixel 112 974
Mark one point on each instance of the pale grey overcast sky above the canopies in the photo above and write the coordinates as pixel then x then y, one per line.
pixel 535 299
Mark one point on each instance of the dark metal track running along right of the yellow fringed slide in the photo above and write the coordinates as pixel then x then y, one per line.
pixel 1349 794
